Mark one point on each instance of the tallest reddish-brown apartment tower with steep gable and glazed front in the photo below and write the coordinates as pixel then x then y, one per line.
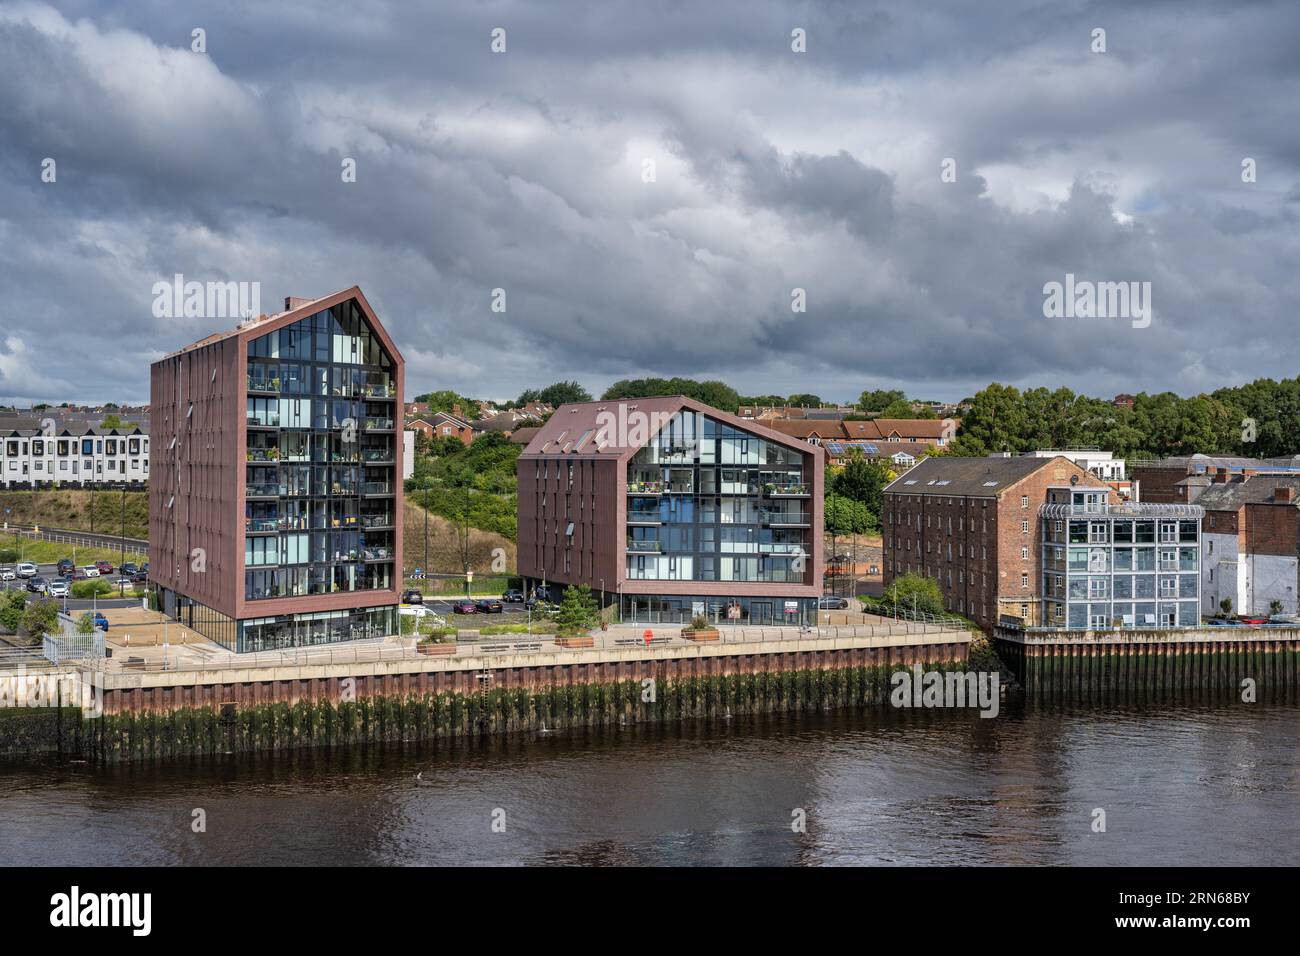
pixel 276 500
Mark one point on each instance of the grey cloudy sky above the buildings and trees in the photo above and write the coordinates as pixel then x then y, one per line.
pixel 773 171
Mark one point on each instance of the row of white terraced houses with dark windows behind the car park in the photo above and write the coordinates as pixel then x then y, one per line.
pixel 75 457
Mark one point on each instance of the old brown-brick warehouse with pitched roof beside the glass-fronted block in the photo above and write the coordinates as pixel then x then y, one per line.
pixel 973 525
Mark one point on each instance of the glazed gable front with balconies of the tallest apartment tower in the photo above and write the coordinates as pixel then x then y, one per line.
pixel 322 474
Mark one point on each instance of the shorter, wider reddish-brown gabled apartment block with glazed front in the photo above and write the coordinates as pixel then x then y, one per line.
pixel 671 509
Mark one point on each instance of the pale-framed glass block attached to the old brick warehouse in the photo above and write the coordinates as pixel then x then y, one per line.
pixel 1115 566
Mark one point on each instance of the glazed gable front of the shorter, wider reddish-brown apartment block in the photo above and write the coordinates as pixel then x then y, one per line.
pixel 712 503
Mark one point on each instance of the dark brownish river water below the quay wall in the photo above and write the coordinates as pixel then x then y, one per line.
pixel 1186 785
